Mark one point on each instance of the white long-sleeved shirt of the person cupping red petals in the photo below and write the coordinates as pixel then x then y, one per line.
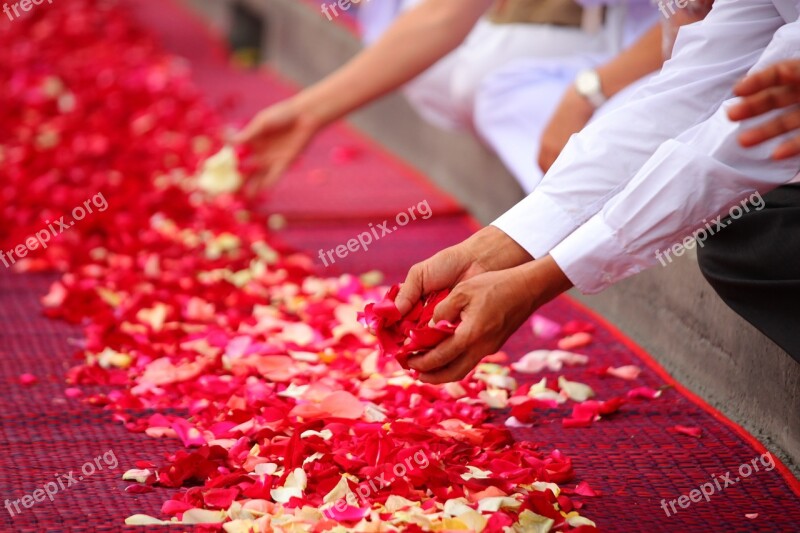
pixel 647 175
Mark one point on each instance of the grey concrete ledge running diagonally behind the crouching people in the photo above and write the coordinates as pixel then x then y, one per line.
pixel 671 312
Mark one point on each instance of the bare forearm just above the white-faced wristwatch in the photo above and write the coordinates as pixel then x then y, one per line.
pixel 642 58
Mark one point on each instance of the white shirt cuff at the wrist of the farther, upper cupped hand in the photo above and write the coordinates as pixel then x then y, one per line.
pixel 536 223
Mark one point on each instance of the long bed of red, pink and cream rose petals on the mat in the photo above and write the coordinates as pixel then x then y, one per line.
pixel 283 412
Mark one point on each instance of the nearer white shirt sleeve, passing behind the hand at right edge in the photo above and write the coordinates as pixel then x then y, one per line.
pixel 658 213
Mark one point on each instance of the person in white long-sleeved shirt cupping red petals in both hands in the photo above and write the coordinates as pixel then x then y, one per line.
pixel 635 181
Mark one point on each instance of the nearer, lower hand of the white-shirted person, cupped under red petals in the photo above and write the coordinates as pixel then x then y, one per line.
pixel 491 307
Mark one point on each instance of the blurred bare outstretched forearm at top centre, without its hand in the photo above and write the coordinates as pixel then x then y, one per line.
pixel 417 40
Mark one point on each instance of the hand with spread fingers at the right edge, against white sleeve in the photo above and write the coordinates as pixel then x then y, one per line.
pixel 774 88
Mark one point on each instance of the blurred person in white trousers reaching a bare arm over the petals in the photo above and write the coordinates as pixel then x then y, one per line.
pixel 427 38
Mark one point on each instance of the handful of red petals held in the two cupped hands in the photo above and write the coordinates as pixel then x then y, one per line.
pixel 404 336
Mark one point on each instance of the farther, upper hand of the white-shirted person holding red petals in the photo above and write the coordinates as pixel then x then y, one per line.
pixel 487 250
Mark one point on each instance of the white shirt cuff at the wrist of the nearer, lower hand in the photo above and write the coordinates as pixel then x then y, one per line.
pixel 593 258
